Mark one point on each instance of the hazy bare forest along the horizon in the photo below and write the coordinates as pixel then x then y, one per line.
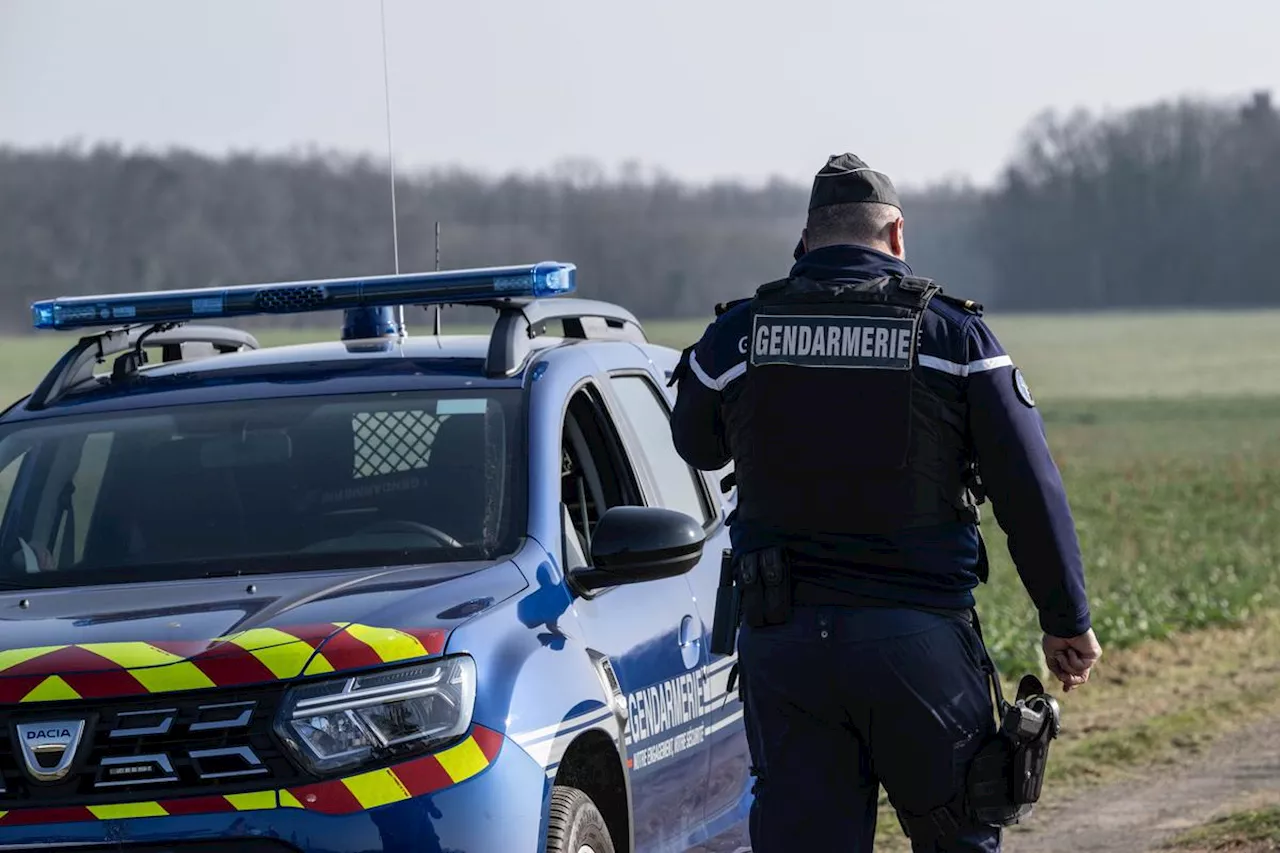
pixel 1176 204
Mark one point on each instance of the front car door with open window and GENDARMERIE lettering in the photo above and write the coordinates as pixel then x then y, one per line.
pixel 651 633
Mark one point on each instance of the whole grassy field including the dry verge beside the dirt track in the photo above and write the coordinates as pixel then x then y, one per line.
pixel 1168 434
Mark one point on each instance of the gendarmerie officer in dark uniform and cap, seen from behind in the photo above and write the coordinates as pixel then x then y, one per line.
pixel 858 405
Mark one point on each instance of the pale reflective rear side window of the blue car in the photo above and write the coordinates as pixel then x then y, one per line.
pixel 678 482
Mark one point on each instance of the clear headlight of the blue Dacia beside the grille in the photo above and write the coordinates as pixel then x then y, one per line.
pixel 346 723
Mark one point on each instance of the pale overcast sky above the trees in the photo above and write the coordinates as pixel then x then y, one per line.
pixel 702 89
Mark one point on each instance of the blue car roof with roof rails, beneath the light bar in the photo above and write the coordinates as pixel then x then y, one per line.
pixel 214 363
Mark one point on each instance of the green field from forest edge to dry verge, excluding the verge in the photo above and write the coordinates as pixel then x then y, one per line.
pixel 1168 434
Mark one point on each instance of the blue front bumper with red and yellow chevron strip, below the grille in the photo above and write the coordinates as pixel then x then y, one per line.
pixel 499 809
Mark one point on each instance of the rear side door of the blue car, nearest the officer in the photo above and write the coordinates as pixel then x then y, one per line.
pixel 679 487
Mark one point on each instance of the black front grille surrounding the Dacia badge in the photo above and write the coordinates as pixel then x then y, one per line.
pixel 157 749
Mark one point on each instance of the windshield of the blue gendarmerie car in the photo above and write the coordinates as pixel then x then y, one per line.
pixel 262 486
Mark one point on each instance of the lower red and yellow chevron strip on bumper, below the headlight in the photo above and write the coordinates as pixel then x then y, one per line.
pixel 359 793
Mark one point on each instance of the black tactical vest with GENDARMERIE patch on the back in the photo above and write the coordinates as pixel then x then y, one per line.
pixel 835 430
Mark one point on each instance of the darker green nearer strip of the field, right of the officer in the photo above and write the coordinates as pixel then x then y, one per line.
pixel 1178 512
